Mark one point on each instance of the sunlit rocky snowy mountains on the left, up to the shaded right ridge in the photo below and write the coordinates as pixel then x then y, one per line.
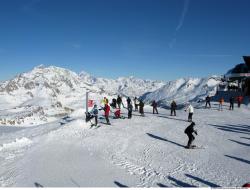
pixel 46 93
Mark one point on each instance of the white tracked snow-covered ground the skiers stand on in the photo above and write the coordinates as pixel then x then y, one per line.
pixel 141 152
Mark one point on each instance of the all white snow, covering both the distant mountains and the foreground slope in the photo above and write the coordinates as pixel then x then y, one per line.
pixel 44 140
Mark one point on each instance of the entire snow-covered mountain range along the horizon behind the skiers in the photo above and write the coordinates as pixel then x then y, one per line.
pixel 46 93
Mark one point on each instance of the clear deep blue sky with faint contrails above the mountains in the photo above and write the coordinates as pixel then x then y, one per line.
pixel 150 39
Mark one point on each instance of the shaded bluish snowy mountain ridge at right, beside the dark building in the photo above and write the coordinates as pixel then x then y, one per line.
pixel 184 90
